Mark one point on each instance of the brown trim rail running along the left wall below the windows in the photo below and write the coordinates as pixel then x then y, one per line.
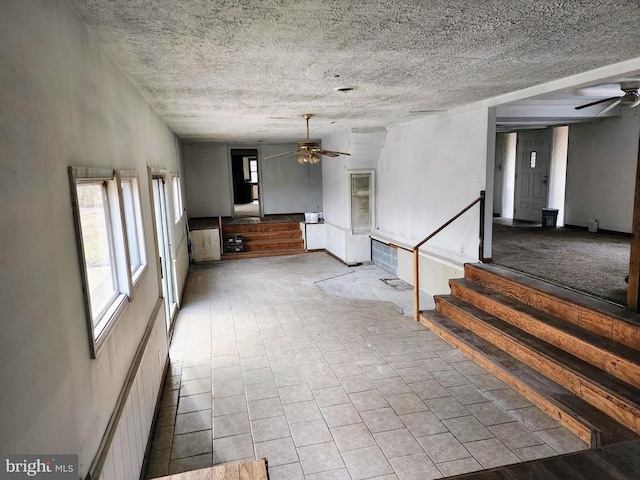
pixel 103 450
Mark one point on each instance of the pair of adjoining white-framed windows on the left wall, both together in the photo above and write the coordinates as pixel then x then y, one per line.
pixel 110 243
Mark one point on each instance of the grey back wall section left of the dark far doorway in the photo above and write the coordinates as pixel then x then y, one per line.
pixel 208 180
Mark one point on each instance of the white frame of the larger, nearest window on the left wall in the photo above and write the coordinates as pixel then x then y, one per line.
pixel 100 324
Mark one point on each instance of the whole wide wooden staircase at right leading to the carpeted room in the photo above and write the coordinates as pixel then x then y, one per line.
pixel 574 356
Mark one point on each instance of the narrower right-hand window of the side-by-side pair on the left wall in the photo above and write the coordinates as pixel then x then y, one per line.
pixel 133 224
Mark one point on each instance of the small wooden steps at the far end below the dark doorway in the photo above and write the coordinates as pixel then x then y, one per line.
pixel 267 239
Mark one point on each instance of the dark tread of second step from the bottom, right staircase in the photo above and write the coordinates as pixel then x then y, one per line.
pixel 621 390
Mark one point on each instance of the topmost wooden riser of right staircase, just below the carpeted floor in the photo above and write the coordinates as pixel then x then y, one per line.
pixel 594 321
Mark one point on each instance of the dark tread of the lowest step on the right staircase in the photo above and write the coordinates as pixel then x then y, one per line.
pixel 606 430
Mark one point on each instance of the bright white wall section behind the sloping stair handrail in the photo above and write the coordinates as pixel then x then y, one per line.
pixel 430 169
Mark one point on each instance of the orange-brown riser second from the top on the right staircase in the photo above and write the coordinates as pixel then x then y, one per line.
pixel 617 366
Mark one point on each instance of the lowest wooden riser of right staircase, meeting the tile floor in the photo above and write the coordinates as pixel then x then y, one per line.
pixel 579 429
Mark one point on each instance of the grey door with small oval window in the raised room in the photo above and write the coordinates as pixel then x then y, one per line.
pixel 532 174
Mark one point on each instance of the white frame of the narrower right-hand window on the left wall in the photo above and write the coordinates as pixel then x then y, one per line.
pixel 135 234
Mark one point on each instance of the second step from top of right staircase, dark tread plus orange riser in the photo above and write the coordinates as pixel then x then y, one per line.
pixel 614 357
